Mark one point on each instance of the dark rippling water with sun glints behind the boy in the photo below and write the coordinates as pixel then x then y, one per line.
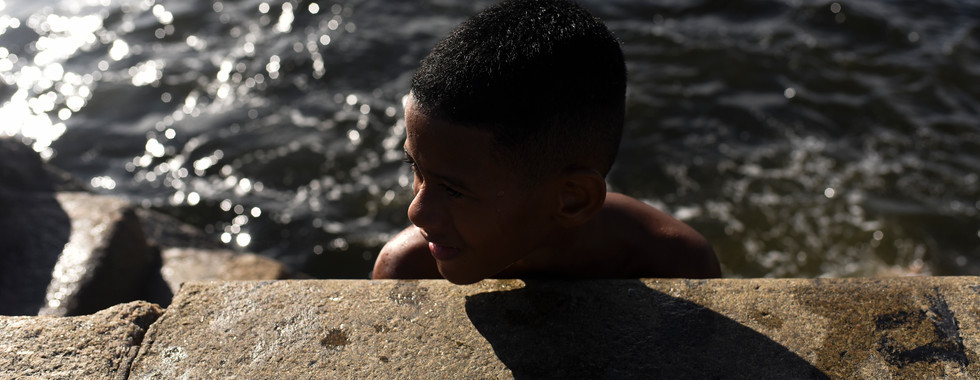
pixel 803 138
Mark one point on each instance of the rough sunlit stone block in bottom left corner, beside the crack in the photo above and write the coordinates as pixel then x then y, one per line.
pixel 98 346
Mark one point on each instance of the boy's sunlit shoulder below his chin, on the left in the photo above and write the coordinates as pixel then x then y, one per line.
pixel 405 256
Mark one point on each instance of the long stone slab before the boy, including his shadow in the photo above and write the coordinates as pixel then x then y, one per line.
pixel 761 328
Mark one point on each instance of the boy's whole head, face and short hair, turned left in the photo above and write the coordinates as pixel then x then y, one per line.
pixel 513 121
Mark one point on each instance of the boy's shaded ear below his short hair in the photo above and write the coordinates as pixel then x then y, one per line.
pixel 582 193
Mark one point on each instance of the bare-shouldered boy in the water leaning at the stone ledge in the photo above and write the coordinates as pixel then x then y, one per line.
pixel 513 121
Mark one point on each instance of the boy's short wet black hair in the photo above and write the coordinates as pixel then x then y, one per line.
pixel 545 77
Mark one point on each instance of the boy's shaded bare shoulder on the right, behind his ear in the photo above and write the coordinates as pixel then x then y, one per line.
pixel 665 246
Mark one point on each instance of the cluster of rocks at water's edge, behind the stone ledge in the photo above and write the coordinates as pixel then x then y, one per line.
pixel 67 251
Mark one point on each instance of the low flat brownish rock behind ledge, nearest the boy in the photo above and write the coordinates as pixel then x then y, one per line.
pixel 191 264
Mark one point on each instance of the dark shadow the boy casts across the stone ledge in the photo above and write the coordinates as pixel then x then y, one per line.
pixel 622 329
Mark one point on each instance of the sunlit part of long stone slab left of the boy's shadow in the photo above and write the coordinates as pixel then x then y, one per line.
pixel 322 329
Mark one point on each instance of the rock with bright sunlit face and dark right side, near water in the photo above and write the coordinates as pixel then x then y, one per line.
pixel 106 261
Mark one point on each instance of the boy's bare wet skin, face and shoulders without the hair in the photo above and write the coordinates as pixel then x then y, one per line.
pixel 475 218
